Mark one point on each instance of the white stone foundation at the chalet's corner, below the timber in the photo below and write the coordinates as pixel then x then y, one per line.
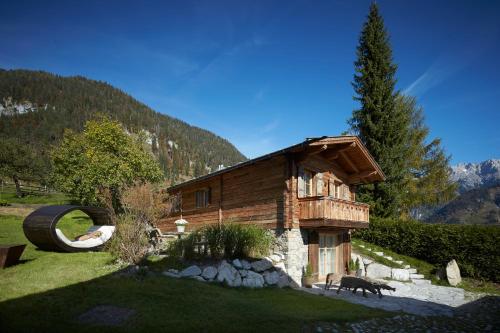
pixel 293 243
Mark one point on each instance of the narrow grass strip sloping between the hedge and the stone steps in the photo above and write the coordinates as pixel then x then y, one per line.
pixel 422 267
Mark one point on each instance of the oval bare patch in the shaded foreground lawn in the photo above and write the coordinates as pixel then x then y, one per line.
pixel 107 315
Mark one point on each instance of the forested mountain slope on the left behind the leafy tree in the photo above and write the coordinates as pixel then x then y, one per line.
pixel 37 107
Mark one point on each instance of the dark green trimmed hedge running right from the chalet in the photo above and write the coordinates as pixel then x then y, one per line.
pixel 476 248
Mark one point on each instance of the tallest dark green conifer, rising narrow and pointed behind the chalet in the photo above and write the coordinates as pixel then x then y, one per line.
pixel 379 124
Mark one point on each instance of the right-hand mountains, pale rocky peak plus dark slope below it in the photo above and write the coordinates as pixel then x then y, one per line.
pixel 478 201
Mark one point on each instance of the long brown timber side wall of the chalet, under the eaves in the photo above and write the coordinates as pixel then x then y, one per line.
pixel 250 194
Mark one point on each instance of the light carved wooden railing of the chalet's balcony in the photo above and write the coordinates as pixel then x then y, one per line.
pixel 328 208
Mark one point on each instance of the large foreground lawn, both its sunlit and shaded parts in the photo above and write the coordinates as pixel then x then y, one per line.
pixel 48 291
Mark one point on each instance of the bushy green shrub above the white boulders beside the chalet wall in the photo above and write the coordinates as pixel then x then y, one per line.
pixel 227 240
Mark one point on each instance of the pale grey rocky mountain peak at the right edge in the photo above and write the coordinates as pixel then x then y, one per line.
pixel 476 175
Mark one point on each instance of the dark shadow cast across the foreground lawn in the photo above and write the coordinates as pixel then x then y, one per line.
pixel 160 303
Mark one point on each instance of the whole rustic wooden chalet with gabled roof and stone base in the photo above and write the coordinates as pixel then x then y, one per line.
pixel 308 189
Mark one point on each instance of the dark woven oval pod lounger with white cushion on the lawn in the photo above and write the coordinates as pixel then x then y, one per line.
pixel 40 227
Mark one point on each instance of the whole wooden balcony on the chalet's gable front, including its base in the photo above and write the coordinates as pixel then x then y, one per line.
pixel 327 211
